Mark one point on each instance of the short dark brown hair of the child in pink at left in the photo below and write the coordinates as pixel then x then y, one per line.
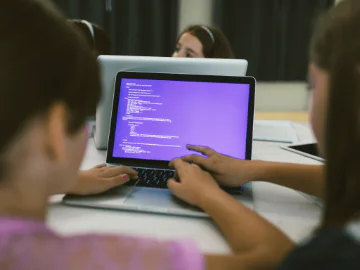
pixel 43 61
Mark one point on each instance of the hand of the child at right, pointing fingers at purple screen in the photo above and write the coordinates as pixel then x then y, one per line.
pixel 227 171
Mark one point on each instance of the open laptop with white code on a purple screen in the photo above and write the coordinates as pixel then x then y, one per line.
pixel 154 117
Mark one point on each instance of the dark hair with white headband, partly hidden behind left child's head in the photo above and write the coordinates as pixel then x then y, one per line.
pixel 99 42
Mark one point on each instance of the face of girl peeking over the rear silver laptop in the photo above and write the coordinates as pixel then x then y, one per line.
pixel 188 46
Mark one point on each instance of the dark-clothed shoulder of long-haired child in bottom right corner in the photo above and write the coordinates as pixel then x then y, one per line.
pixel 332 249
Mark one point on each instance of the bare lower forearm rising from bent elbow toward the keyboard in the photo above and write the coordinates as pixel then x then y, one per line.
pixel 244 229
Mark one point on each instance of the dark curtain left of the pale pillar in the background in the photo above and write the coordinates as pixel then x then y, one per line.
pixel 135 27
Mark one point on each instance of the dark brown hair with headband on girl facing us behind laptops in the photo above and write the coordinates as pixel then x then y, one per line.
pixel 215 43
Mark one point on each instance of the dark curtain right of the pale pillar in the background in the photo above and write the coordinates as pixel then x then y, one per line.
pixel 273 35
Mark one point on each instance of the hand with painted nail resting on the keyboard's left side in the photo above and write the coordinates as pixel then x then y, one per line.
pixel 102 178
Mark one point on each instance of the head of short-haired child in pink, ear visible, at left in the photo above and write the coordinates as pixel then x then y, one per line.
pixel 49 85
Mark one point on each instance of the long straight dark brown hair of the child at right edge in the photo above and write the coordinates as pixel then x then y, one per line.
pixel 335 48
